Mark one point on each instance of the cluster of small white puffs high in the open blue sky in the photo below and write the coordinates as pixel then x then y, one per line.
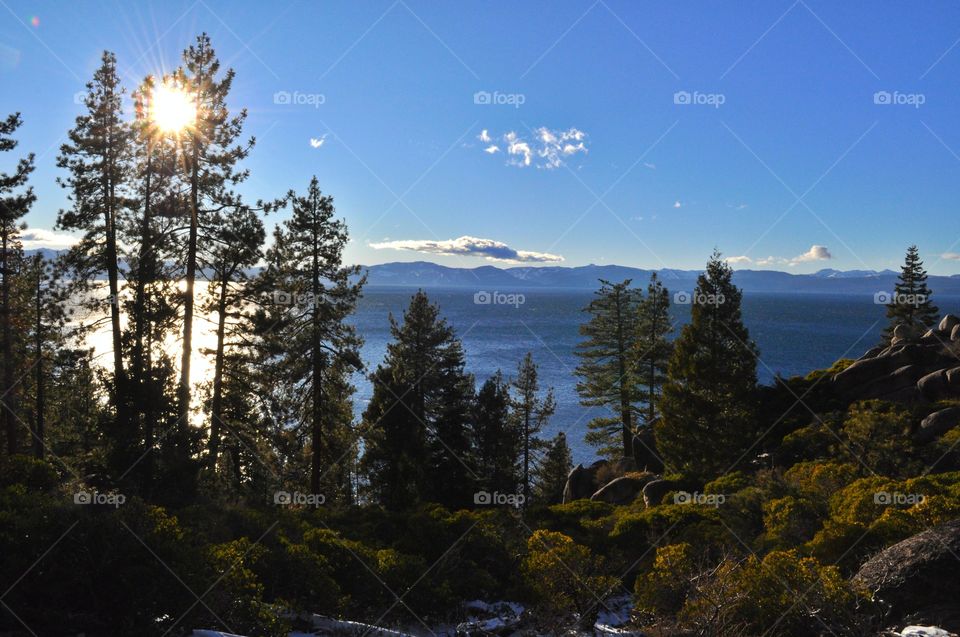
pixel 548 148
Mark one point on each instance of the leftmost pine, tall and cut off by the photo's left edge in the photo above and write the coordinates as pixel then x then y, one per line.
pixel 16 197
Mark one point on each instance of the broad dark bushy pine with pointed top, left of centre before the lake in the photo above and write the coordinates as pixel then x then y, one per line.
pixel 419 393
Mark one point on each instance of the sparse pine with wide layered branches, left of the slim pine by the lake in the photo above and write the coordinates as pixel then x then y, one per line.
pixel 606 370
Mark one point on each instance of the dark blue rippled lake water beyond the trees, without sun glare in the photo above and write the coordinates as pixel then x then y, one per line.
pixel 795 333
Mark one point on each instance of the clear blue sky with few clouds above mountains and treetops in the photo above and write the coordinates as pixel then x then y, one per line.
pixel 655 131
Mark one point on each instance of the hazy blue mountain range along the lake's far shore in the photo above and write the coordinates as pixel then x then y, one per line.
pixel 425 274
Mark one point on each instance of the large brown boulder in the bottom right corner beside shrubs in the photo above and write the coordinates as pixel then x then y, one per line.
pixel 917 575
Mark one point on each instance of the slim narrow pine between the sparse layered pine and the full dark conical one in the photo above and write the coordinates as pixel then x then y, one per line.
pixel 652 349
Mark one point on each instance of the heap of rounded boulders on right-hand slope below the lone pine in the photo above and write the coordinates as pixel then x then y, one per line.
pixel 912 368
